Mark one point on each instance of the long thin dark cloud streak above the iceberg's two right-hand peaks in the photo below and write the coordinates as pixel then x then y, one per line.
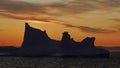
pixel 90 29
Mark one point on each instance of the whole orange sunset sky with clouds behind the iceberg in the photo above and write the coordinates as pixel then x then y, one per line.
pixel 81 18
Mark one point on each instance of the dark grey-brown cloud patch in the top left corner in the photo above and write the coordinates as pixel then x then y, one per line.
pixel 18 7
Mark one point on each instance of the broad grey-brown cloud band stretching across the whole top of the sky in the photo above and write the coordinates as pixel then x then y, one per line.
pixel 62 6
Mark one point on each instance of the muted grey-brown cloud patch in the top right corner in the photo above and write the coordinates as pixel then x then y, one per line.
pixel 81 6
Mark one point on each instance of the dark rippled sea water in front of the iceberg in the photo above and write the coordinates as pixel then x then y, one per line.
pixel 59 62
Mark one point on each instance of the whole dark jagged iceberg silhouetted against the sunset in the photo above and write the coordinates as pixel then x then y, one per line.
pixel 37 43
